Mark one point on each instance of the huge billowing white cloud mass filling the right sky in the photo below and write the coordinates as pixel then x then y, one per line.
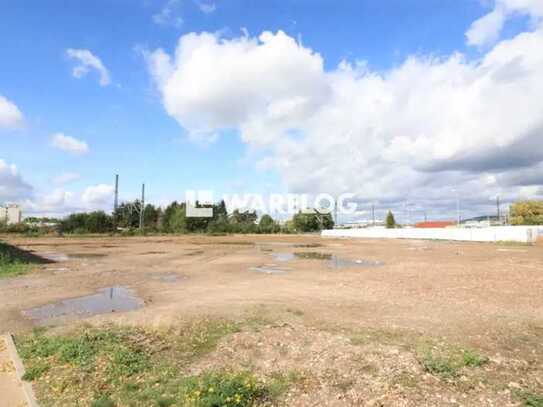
pixel 418 130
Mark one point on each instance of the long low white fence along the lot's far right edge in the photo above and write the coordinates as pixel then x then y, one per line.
pixel 524 234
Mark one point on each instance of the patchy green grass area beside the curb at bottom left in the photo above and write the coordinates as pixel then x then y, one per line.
pixel 116 366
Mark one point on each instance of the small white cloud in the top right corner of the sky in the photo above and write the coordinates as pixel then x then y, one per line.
pixel 486 30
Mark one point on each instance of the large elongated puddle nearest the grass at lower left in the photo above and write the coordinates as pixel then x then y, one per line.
pixel 106 300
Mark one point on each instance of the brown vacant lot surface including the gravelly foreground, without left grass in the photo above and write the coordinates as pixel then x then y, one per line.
pixel 378 323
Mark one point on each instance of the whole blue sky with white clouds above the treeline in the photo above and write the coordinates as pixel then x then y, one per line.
pixel 410 105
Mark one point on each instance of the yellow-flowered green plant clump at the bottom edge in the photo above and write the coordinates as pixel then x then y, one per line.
pixel 223 389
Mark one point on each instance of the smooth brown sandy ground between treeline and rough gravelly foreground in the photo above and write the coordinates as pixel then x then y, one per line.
pixel 487 296
